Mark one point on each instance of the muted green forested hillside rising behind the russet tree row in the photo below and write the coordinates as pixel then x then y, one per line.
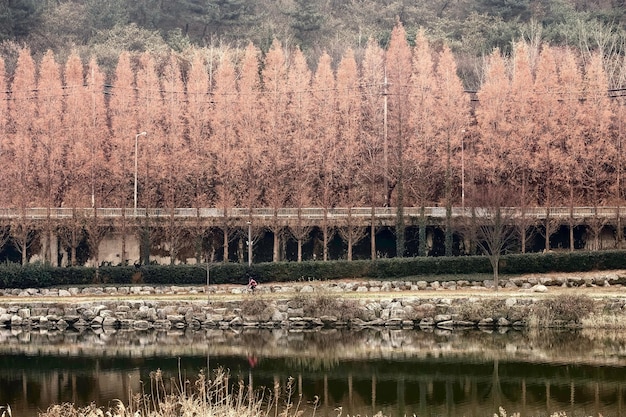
pixel 472 28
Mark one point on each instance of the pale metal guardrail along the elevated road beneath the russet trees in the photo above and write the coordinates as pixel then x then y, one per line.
pixel 309 213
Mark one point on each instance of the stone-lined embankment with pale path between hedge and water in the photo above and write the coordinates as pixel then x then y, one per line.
pixel 395 304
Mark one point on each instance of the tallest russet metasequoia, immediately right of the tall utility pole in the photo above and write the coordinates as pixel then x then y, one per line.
pixel 398 78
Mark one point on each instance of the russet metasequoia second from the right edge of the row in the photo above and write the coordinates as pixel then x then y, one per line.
pixel 600 149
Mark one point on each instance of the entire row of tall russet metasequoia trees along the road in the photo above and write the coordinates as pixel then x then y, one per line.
pixel 390 127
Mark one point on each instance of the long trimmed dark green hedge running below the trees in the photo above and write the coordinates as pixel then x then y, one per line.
pixel 40 275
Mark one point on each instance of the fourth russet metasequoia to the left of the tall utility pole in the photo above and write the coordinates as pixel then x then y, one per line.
pixel 300 153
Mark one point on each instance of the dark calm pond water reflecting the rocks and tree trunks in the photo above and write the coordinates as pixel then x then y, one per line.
pixel 398 372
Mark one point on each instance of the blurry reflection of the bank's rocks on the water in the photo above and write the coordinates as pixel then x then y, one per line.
pixel 318 346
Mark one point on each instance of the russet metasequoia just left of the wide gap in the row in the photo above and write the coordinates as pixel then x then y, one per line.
pixel 451 105
